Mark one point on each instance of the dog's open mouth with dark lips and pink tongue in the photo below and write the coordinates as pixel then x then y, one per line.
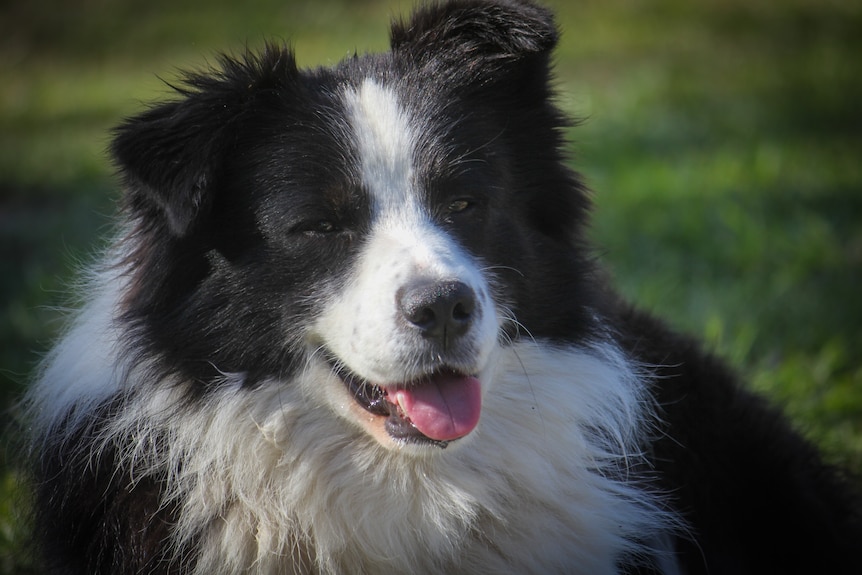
pixel 434 409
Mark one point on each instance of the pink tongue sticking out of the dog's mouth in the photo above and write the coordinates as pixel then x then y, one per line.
pixel 445 408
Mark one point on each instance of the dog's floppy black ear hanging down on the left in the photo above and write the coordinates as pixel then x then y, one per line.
pixel 170 155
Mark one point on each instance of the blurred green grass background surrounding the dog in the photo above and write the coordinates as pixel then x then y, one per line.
pixel 723 139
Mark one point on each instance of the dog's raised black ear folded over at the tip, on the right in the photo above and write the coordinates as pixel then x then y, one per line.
pixel 479 42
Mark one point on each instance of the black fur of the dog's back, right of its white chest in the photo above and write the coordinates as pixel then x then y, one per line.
pixel 758 497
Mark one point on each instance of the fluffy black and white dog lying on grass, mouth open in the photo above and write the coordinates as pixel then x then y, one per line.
pixel 351 325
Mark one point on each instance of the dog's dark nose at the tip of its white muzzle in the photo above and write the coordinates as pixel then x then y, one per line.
pixel 441 310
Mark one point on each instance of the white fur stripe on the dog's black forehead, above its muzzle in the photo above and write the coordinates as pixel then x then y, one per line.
pixel 384 144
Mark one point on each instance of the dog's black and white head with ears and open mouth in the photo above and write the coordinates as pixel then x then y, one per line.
pixel 383 227
